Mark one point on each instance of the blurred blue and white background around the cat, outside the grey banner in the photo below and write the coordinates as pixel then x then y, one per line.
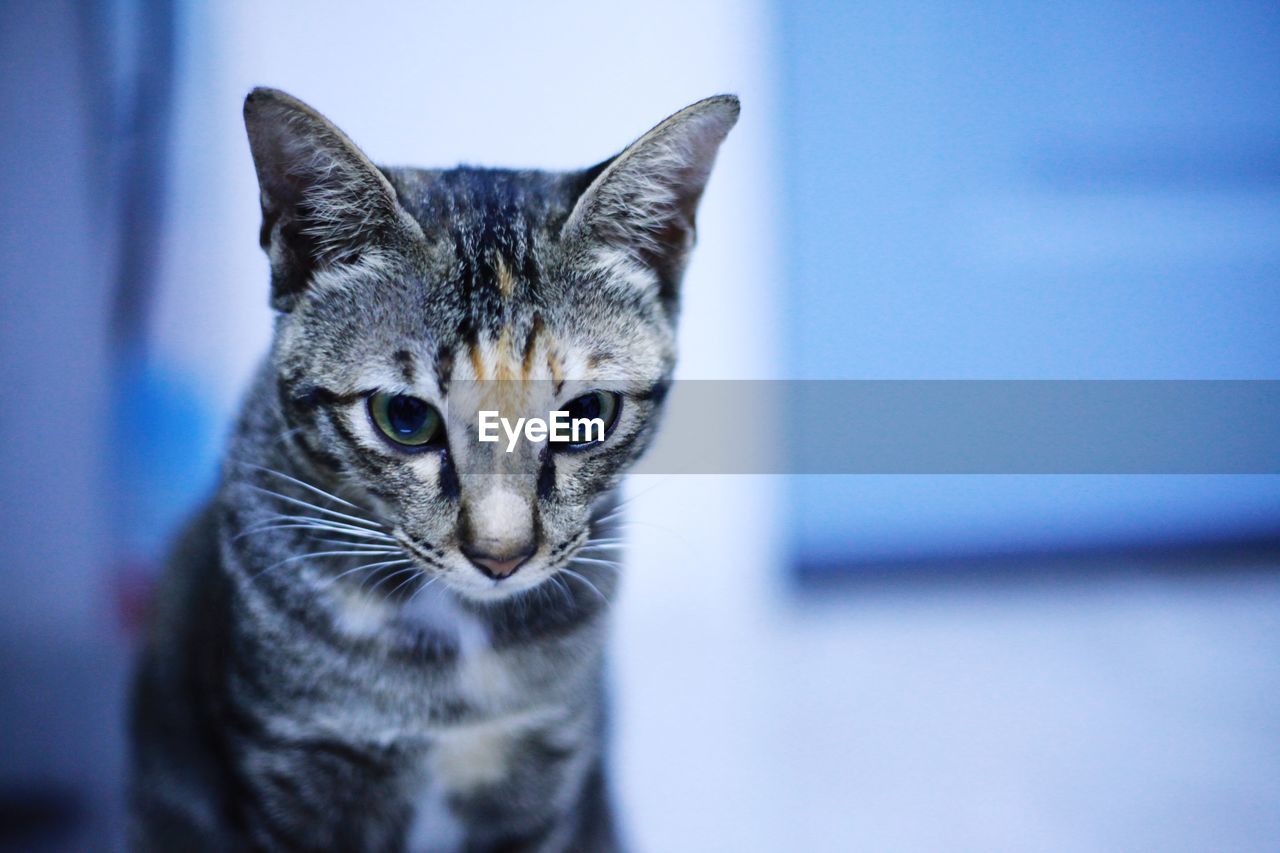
pixel 917 190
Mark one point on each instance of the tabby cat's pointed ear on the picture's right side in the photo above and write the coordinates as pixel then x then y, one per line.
pixel 642 207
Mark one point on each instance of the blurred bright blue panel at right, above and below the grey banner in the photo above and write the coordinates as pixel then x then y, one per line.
pixel 990 190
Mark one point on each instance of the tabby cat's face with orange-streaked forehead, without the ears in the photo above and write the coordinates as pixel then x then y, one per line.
pixel 388 370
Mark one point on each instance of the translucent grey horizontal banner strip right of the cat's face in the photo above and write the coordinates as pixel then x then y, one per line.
pixel 970 427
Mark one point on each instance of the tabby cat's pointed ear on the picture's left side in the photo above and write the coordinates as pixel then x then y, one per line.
pixel 323 202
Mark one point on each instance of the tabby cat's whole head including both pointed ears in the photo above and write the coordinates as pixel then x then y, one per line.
pixel 413 300
